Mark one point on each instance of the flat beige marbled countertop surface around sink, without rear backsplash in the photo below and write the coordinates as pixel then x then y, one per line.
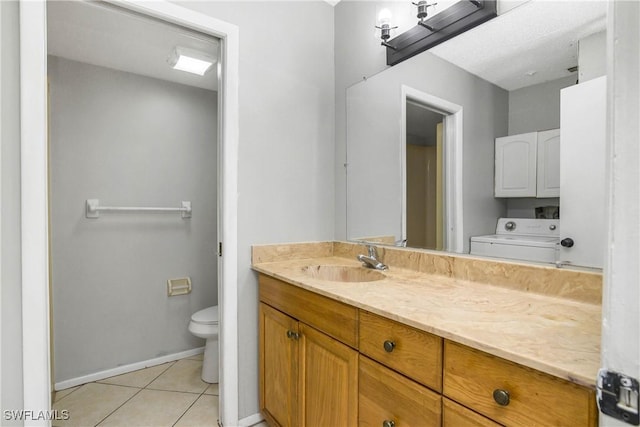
pixel 556 335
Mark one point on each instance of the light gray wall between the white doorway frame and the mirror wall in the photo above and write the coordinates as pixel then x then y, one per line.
pixel 286 153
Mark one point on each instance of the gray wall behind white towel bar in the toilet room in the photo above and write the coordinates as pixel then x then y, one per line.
pixel 128 140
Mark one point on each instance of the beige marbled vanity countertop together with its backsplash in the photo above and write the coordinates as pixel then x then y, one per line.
pixel 538 316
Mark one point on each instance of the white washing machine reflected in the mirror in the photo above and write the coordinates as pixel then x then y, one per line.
pixel 524 239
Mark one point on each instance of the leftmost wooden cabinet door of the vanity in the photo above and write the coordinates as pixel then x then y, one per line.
pixel 278 367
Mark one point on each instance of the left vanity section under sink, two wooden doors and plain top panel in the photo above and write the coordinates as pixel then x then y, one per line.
pixel 307 377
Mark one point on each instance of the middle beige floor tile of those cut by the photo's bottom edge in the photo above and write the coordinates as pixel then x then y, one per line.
pixel 151 408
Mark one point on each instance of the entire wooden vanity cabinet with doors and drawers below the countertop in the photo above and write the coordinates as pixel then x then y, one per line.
pixel 323 362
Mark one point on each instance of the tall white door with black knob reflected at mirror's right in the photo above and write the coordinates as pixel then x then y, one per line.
pixel 582 173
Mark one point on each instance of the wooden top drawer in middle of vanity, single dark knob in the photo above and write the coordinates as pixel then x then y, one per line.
pixel 415 353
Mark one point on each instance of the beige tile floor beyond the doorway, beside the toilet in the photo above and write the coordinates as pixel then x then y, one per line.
pixel 171 394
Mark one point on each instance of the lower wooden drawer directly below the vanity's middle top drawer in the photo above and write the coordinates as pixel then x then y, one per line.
pixel 384 395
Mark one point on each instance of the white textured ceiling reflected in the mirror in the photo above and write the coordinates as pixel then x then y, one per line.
pixel 532 43
